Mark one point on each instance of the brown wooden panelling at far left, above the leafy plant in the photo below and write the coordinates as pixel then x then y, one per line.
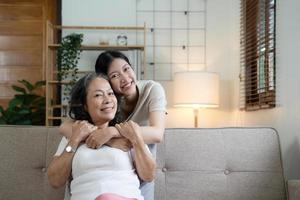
pixel 22 42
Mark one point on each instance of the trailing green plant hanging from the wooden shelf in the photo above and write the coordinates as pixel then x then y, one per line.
pixel 68 55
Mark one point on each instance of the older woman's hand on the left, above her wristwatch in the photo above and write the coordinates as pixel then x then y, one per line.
pixel 81 130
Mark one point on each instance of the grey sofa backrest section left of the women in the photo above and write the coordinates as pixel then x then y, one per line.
pixel 25 152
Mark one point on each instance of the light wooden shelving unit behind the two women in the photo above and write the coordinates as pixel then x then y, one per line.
pixel 51 71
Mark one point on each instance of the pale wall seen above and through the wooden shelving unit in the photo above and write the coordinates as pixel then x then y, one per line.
pixel 98 13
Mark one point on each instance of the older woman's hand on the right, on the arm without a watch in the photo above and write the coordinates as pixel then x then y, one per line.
pixel 130 130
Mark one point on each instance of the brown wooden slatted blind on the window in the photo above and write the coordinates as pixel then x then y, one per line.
pixel 257 54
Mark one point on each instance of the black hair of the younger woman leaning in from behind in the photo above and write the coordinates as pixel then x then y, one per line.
pixel 106 58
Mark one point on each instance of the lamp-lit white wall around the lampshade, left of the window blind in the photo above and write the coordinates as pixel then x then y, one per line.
pixel 221 56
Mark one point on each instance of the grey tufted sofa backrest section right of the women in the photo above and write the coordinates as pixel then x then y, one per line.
pixel 222 164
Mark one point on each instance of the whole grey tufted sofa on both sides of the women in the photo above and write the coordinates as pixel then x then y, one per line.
pixel 193 164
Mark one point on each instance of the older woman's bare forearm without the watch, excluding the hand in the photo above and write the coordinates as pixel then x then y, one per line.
pixel 144 162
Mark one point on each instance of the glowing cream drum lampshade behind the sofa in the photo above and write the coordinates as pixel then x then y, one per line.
pixel 196 89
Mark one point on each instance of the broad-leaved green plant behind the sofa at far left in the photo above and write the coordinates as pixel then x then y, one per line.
pixel 27 107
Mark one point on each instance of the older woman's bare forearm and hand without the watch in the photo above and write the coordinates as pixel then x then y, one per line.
pixel 144 162
